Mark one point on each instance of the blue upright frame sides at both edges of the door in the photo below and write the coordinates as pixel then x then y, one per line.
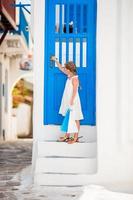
pixel 47 62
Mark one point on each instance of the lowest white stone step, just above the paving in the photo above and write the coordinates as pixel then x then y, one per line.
pixel 63 179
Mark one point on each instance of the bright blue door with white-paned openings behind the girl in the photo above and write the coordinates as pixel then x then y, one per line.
pixel 70 35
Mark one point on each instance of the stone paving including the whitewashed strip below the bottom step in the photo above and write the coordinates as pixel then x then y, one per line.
pixel 16 179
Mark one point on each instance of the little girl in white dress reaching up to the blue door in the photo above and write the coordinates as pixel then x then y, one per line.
pixel 70 98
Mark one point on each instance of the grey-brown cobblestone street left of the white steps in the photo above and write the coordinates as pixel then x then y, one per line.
pixel 14 157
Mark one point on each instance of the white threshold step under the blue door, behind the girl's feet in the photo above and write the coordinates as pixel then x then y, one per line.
pixel 52 132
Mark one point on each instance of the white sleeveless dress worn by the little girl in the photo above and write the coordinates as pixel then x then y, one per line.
pixel 65 103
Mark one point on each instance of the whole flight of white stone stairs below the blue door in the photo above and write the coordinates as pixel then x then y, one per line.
pixel 62 164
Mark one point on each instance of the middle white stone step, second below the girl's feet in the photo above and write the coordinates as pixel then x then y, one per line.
pixel 66 165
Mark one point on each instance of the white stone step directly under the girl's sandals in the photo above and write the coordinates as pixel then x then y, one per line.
pixel 62 149
